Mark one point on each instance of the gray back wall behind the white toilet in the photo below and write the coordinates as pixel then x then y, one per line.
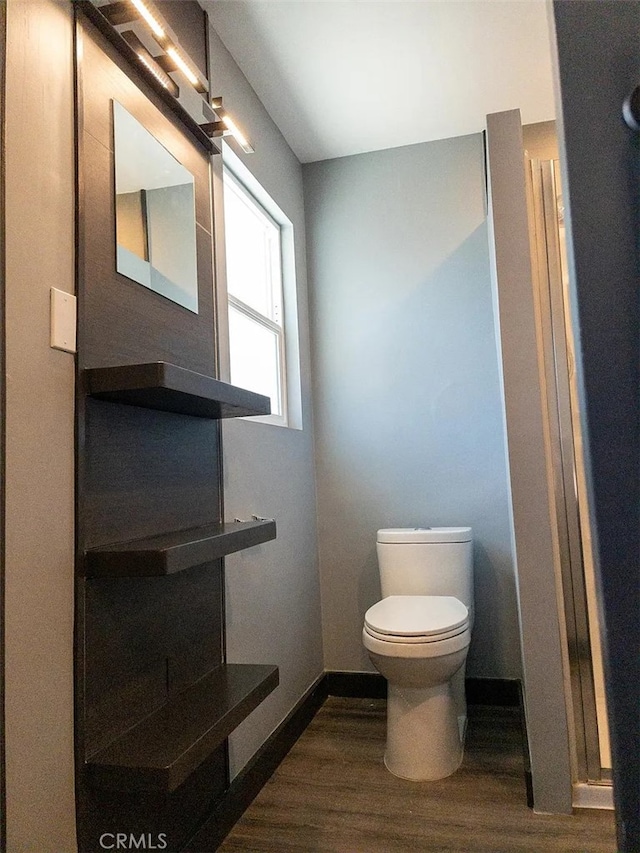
pixel 409 426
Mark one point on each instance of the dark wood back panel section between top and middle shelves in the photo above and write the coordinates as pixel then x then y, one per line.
pixel 146 472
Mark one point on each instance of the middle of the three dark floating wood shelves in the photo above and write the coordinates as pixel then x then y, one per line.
pixel 167 553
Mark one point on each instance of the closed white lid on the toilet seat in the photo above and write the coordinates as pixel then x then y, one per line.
pixel 417 616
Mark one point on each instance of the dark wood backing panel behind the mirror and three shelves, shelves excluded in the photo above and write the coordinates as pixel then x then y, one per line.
pixel 140 641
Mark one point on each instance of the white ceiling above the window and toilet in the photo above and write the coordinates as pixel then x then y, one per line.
pixel 341 77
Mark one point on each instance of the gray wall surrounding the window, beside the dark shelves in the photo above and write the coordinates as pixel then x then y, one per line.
pixel 272 591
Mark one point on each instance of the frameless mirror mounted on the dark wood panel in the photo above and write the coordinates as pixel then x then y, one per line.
pixel 155 213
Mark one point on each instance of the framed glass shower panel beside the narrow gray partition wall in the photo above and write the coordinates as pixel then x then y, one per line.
pixel 570 495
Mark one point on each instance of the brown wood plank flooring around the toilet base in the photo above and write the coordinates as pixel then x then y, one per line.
pixel 333 793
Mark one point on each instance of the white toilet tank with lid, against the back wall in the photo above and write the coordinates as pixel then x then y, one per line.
pixel 426 561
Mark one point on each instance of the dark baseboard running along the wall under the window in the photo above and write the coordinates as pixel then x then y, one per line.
pixel 249 782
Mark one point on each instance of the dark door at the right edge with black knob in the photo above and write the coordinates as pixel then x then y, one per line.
pixel 599 65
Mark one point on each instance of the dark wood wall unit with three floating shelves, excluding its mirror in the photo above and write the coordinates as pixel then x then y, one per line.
pixel 156 701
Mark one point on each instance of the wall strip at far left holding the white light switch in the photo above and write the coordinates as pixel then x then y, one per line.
pixel 40 431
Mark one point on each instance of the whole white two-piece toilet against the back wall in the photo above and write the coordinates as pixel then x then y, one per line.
pixel 418 637
